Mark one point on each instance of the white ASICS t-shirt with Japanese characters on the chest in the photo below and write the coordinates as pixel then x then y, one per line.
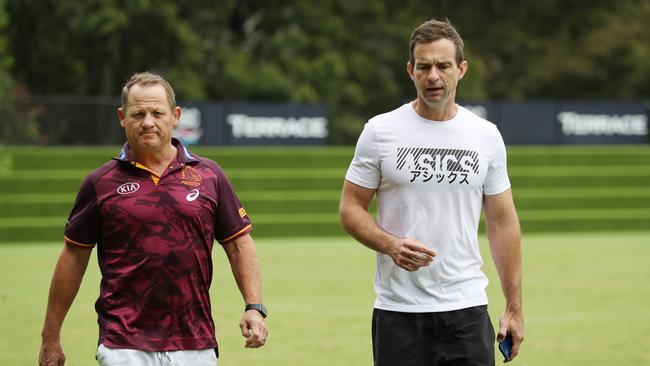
pixel 430 178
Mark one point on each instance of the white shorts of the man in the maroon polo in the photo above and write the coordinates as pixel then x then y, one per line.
pixel 133 357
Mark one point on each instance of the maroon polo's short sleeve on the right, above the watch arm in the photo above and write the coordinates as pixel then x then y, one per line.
pixel 231 220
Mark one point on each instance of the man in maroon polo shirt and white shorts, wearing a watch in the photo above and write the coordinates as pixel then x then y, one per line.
pixel 153 213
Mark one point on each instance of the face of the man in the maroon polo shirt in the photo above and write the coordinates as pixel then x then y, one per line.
pixel 148 119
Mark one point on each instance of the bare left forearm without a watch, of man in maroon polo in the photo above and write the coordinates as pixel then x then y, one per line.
pixel 66 280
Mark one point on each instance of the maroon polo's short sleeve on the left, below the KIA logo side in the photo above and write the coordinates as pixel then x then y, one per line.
pixel 82 228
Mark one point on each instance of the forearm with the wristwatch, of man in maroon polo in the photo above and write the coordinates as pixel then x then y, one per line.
pixel 245 268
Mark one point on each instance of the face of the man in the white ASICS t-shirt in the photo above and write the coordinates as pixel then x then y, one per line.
pixel 435 72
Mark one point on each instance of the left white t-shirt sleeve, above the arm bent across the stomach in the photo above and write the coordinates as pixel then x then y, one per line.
pixel 364 168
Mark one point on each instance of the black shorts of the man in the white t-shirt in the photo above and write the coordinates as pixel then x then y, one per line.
pixel 462 337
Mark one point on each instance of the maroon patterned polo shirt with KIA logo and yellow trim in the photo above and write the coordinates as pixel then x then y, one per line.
pixel 154 240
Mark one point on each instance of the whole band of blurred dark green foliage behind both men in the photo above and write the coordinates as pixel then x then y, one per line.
pixel 350 55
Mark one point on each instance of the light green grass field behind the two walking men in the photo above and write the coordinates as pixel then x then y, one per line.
pixel 585 301
